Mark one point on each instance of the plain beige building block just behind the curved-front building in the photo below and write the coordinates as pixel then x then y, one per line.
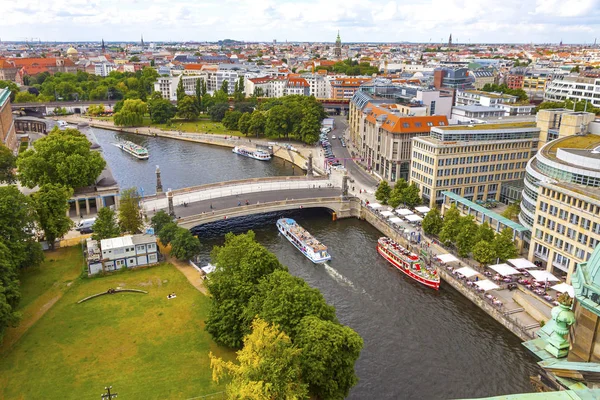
pixel 559 123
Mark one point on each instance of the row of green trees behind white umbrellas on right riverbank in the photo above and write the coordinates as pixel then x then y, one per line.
pixel 462 232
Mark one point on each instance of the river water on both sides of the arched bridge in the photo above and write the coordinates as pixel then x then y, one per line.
pixel 419 343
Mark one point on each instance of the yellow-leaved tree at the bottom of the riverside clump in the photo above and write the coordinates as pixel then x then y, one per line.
pixel 268 367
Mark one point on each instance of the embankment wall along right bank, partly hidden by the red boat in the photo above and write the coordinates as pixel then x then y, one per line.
pixel 369 216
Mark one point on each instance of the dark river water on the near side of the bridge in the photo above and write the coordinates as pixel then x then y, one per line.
pixel 419 343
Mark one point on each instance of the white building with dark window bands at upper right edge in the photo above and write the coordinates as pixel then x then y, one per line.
pixel 576 88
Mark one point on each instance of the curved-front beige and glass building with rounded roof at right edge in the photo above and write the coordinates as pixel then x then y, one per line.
pixel 561 201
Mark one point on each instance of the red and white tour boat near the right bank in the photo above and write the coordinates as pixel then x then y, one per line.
pixel 407 262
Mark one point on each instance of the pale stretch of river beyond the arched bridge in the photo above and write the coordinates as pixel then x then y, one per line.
pixel 182 164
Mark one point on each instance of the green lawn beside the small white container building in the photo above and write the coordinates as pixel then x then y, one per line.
pixel 144 345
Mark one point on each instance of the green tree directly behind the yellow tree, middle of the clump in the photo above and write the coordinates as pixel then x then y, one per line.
pixel 284 299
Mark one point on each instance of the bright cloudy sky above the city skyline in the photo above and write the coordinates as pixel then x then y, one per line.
pixel 523 21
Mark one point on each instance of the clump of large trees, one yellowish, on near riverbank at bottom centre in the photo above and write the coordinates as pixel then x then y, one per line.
pixel 291 343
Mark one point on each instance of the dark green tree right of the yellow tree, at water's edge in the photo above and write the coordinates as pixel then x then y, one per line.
pixel 329 352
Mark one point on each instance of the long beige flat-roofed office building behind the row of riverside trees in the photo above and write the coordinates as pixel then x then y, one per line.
pixel 472 161
